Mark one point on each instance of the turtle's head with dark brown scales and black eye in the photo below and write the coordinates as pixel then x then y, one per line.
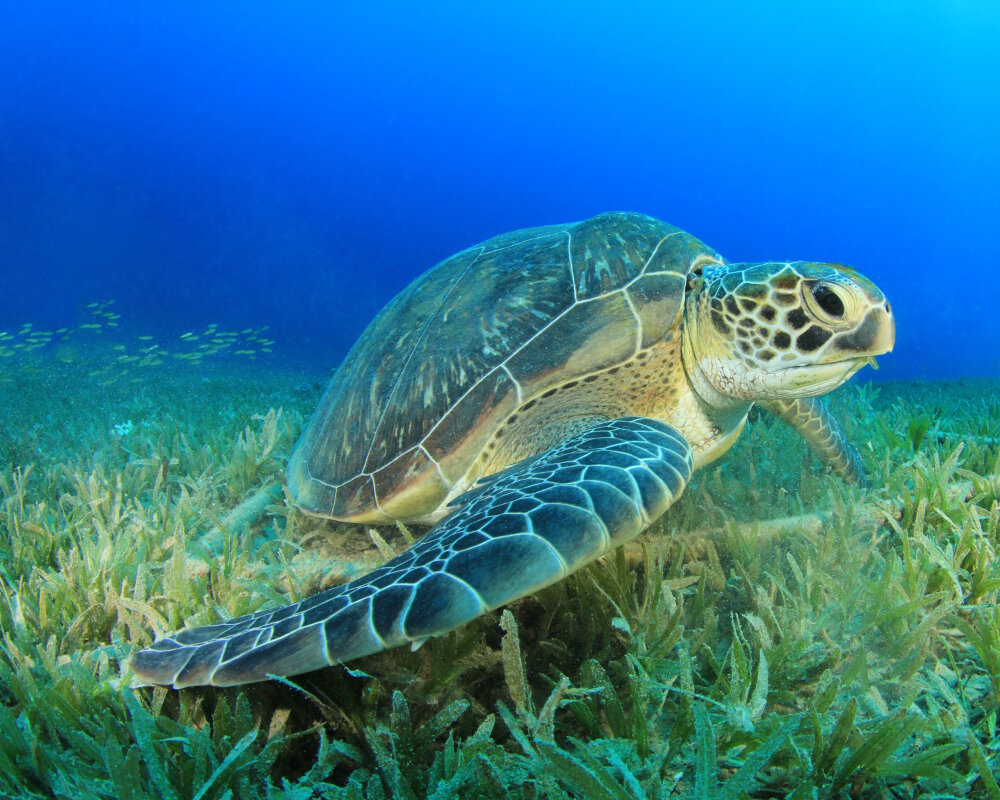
pixel 780 330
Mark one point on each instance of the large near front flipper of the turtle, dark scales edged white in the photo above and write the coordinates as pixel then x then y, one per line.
pixel 529 528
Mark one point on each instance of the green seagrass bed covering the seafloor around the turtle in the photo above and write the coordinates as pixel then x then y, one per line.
pixel 777 634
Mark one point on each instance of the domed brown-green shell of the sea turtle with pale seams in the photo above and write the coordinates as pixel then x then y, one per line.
pixel 469 342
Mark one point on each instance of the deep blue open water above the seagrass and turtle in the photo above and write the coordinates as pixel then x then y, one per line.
pixel 297 164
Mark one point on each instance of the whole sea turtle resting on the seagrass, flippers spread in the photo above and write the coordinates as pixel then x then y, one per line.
pixel 541 397
